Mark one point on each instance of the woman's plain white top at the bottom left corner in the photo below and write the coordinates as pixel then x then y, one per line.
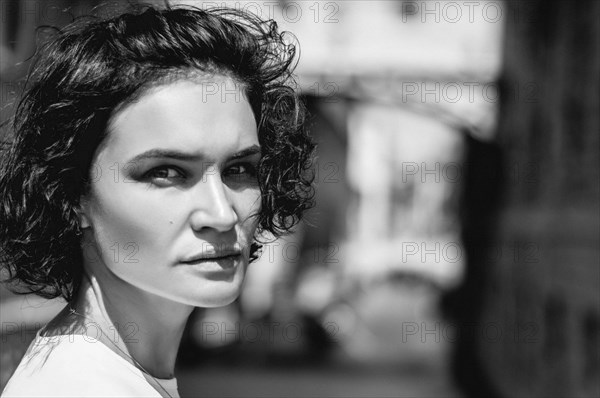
pixel 80 366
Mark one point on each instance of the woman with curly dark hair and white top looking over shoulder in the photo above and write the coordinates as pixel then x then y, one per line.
pixel 150 151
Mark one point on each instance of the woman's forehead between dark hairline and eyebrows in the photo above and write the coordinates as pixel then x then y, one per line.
pixel 208 116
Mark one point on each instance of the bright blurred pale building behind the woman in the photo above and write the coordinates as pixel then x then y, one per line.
pixel 399 86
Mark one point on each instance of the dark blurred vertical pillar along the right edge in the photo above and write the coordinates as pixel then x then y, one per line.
pixel 541 286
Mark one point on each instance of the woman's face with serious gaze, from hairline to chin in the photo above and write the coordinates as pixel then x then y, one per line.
pixel 171 206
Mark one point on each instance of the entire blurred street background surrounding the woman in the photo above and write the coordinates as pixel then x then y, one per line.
pixel 454 250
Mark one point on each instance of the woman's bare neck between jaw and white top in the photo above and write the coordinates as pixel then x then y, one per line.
pixel 138 324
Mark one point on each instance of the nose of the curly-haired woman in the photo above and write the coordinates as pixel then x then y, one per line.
pixel 212 206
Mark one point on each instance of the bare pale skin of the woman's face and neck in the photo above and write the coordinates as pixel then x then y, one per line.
pixel 143 219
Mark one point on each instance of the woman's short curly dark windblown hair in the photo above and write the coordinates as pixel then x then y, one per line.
pixel 95 65
